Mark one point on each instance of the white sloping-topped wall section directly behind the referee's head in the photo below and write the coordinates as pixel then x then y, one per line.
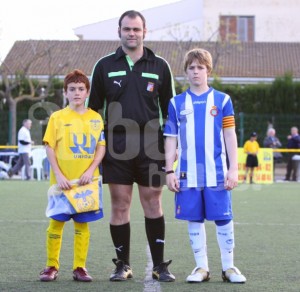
pixel 180 20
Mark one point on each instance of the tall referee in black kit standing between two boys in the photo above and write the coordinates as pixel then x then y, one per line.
pixel 134 85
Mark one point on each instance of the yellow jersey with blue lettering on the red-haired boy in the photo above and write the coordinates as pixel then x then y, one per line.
pixel 74 138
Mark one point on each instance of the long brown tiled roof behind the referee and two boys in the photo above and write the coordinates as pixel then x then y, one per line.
pixel 240 60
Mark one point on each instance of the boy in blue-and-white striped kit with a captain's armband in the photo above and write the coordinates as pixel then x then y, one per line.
pixel 201 123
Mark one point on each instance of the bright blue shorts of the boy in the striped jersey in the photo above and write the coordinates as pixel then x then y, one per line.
pixel 197 204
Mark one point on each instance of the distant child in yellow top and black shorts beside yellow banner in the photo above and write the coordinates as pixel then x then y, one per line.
pixel 251 148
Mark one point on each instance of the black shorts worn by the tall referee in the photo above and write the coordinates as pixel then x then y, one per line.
pixel 134 157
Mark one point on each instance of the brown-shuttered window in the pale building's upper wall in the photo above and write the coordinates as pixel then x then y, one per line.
pixel 239 28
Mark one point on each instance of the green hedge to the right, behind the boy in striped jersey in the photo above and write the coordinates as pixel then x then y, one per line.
pixel 257 104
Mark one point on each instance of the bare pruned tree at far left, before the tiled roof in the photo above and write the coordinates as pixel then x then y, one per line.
pixel 19 86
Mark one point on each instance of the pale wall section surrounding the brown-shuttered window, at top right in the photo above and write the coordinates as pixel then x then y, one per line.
pixel 275 20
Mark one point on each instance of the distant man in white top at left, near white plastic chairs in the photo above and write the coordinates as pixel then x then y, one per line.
pixel 24 150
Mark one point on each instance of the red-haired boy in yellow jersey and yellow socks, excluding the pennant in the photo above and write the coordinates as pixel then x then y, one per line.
pixel 75 147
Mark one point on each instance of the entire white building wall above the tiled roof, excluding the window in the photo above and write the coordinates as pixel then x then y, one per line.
pixel 198 20
